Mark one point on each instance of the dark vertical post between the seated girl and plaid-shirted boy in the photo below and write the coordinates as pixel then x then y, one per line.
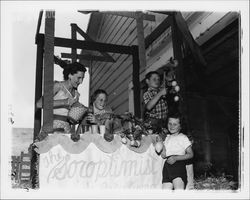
pixel 136 81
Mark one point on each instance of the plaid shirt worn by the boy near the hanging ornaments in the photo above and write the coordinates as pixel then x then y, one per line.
pixel 160 110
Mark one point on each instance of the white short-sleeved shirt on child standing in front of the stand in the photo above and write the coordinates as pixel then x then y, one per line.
pixel 176 144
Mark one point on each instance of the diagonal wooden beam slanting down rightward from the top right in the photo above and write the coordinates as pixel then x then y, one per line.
pixel 194 47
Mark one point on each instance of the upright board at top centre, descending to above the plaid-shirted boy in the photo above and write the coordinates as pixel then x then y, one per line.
pixel 141 40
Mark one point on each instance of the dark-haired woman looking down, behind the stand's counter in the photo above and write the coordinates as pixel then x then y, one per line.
pixel 65 94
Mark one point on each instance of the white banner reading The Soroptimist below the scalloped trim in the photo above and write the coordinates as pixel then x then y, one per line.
pixel 95 169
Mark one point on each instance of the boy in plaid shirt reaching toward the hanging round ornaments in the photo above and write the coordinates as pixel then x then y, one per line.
pixel 155 103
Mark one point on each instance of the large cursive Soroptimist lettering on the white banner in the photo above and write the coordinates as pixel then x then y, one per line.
pixel 110 166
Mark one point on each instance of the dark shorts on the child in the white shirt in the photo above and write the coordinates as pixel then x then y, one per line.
pixel 170 172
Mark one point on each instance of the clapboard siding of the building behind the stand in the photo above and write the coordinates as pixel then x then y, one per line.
pixel 115 77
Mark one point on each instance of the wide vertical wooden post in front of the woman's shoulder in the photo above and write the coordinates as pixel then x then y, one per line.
pixel 48 70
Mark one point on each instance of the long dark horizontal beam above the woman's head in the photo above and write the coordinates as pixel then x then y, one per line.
pixel 94 46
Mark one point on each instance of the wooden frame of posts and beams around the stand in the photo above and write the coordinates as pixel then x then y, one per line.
pixel 45 58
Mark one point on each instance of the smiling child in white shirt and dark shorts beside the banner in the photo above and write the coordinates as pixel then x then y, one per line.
pixel 177 149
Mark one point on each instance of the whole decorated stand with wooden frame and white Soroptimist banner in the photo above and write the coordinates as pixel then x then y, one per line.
pixel 128 159
